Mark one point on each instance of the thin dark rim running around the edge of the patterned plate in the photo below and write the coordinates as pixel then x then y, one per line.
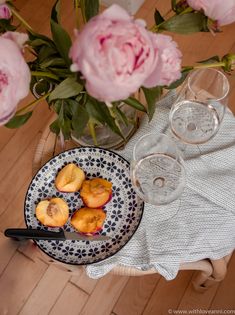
pixel 101 259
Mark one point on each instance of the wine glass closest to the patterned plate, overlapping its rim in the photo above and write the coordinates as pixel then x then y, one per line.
pixel 157 169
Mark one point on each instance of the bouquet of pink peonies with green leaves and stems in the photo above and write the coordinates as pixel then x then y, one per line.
pixel 111 57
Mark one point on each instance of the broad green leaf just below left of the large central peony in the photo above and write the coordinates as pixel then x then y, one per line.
pixel 67 88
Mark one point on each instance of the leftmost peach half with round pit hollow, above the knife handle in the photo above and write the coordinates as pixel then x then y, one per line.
pixel 53 212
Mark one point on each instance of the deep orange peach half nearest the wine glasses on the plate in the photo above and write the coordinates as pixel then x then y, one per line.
pixel 96 192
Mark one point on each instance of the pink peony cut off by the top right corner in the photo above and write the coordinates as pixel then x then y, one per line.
pixel 221 11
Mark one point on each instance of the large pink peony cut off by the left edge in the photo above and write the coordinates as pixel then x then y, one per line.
pixel 14 78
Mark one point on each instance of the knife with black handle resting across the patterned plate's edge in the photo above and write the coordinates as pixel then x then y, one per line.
pixel 21 234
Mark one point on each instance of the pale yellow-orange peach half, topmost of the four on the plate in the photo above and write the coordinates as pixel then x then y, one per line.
pixel 70 178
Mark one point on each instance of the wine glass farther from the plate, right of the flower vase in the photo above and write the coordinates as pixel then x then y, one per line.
pixel 198 111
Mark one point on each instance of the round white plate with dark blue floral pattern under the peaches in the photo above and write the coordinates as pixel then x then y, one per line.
pixel 124 211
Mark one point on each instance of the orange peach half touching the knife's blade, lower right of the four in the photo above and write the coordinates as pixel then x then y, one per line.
pixel 88 221
